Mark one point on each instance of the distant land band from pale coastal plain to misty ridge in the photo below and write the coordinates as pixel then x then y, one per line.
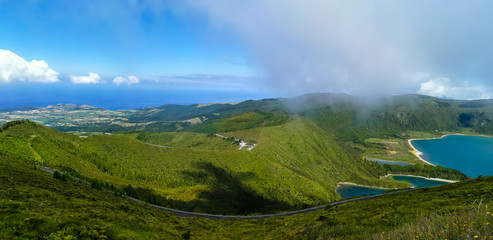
pixel 348 117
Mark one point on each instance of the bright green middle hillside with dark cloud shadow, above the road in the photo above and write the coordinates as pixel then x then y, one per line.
pixel 294 165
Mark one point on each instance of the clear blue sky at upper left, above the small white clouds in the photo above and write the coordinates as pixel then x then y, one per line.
pixel 116 37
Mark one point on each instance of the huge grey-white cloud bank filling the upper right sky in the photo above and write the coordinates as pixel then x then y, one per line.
pixel 359 47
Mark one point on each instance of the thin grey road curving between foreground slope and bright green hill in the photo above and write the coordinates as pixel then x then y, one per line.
pixel 283 214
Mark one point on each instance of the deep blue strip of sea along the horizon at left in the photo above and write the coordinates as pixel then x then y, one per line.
pixel 114 97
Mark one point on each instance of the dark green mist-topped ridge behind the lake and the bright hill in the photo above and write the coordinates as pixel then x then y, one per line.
pixel 352 118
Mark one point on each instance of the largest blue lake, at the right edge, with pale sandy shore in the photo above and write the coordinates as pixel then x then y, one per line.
pixel 471 155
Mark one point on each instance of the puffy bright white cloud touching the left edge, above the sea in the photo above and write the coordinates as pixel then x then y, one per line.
pixel 15 68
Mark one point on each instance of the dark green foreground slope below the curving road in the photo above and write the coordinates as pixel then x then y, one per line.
pixel 35 205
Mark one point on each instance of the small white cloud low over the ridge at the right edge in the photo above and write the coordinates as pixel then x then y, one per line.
pixel 443 87
